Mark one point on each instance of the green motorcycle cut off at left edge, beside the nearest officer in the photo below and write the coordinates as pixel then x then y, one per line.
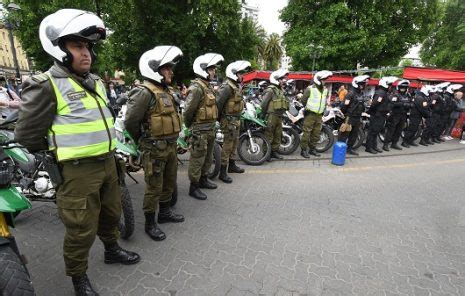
pixel 14 276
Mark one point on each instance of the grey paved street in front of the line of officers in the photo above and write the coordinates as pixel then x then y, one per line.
pixel 389 225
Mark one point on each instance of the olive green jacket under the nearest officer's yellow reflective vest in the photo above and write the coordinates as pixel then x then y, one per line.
pixel 38 109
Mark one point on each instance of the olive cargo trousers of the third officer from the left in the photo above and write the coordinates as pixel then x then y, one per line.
pixel 202 144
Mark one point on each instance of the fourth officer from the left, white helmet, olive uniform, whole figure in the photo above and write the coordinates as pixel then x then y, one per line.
pixel 230 106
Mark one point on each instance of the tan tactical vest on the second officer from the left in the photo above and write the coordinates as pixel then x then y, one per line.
pixel 163 118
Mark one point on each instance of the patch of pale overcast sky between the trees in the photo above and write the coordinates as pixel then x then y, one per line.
pixel 268 15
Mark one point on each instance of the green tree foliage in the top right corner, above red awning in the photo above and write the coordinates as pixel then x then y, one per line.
pixel 445 48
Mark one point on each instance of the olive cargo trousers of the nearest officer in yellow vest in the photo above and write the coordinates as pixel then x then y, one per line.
pixel 89 204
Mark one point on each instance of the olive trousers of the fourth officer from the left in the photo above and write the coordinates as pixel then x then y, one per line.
pixel 230 129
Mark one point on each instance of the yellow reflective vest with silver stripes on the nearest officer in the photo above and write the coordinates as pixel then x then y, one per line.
pixel 83 125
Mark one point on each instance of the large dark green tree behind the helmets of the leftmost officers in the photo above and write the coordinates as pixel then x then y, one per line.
pixel 195 26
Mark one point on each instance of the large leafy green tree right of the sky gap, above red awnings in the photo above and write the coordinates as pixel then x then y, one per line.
pixel 370 32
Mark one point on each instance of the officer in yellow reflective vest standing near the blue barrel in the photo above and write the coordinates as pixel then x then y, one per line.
pixel 314 100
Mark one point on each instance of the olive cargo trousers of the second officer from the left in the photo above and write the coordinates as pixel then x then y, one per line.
pixel 161 170
